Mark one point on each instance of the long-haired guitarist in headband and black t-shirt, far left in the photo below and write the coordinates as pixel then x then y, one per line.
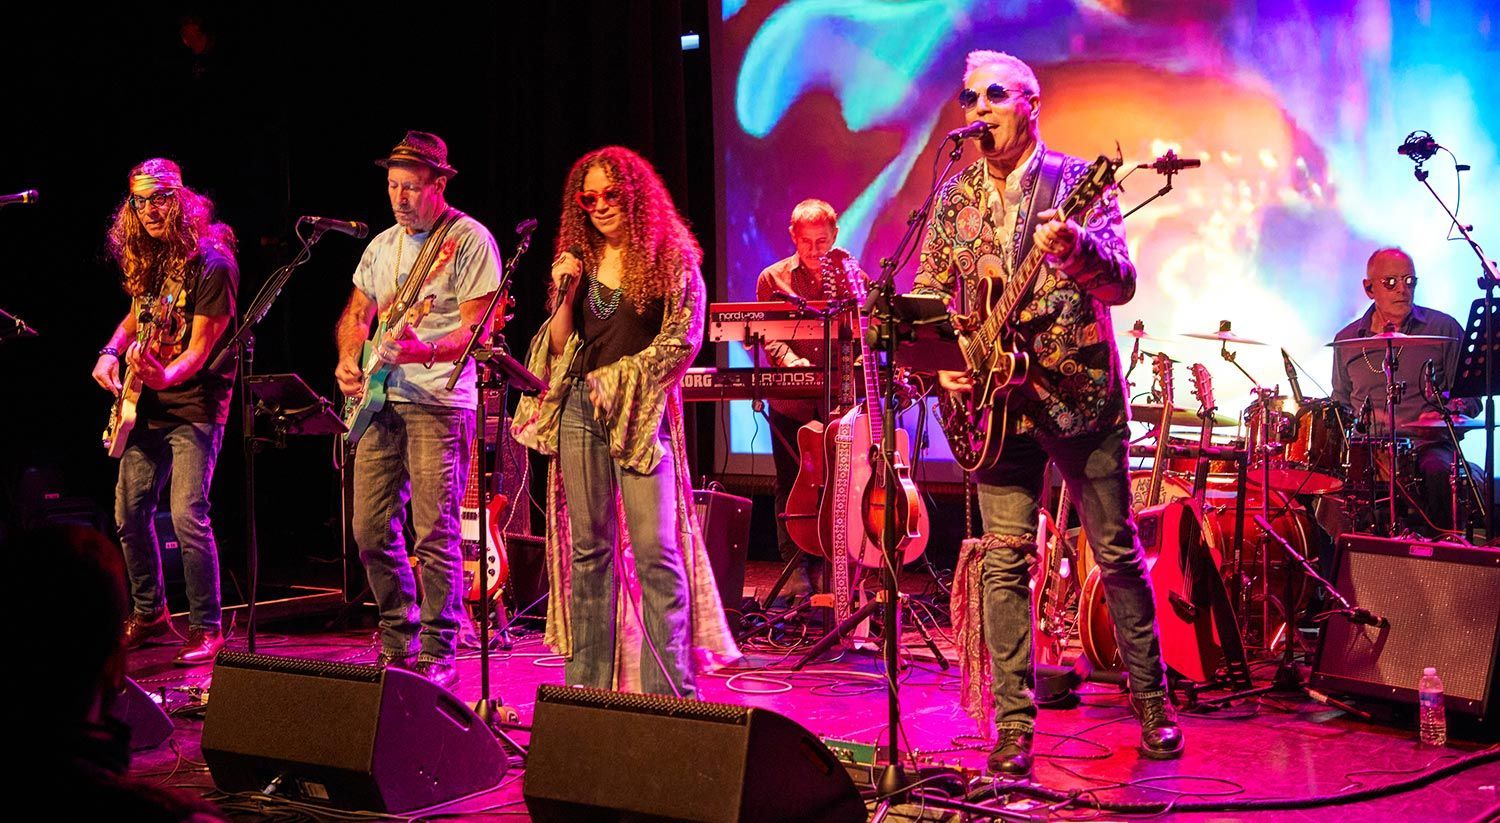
pixel 170 409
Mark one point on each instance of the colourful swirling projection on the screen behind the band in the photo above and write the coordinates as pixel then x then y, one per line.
pixel 1295 112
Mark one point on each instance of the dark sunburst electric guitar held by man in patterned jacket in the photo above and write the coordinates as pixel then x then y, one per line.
pixel 976 420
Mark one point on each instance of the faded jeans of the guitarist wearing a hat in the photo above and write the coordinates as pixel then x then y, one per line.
pixel 416 453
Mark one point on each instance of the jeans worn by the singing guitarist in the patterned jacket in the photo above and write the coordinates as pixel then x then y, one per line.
pixel 1096 473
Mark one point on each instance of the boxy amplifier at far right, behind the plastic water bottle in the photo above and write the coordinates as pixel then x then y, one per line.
pixel 1444 611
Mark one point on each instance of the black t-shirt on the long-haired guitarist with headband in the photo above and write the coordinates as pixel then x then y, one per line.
pixel 205 398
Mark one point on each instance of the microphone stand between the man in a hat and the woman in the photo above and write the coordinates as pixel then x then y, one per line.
pixel 497 370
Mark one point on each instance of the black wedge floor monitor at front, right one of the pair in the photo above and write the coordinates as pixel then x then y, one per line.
pixel 604 756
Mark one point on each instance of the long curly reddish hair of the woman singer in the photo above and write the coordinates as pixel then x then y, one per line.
pixel 661 250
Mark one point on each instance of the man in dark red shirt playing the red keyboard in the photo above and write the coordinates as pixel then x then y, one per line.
pixel 817 272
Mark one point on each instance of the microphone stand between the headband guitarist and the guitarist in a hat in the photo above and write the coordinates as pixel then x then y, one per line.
pixel 244 344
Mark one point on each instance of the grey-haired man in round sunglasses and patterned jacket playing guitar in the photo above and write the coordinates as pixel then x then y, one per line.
pixel 1015 235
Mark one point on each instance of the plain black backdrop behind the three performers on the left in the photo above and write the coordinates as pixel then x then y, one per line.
pixel 284 116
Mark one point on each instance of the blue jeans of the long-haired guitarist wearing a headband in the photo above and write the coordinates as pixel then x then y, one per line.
pixel 185 453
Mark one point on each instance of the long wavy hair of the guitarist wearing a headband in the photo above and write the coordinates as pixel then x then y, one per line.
pixel 146 262
